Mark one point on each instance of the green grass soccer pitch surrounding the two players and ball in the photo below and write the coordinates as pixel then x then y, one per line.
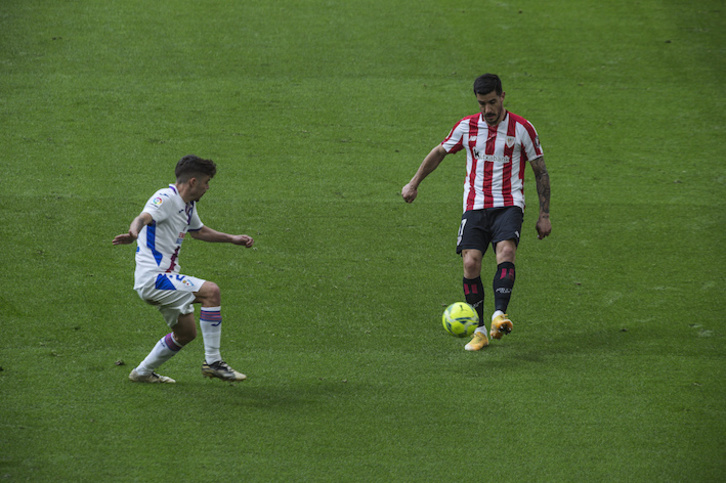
pixel 317 113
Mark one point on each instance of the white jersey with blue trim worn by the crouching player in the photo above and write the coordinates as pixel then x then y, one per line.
pixel 159 243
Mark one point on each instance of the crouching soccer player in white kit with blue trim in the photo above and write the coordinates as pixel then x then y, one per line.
pixel 159 231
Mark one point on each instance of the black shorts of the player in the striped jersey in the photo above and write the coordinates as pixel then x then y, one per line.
pixel 479 228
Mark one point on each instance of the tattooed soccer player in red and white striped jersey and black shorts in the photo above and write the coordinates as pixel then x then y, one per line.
pixel 498 145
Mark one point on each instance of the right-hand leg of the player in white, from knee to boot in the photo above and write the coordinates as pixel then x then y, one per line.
pixel 210 321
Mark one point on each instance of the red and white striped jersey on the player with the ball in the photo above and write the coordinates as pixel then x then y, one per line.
pixel 495 159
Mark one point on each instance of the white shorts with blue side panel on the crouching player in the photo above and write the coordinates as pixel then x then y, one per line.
pixel 172 293
